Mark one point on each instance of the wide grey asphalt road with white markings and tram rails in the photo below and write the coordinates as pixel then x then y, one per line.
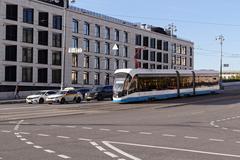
pixel 191 128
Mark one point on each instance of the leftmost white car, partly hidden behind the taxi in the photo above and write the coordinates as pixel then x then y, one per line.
pixel 39 97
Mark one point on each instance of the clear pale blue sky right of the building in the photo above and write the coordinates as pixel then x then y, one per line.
pixel 197 20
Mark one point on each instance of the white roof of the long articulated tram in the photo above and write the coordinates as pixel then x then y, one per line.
pixel 169 71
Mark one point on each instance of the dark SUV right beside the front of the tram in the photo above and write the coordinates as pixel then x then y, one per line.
pixel 99 93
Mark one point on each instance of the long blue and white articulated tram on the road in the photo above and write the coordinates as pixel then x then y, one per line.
pixel 137 85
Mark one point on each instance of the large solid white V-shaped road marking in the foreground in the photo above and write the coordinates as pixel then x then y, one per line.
pixel 109 144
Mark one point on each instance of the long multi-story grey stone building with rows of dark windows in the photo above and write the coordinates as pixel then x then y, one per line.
pixel 35 36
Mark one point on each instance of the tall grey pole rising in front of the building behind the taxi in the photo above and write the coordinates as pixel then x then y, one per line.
pixel 64 50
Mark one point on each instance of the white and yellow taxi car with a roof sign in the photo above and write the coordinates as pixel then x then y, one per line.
pixel 64 96
